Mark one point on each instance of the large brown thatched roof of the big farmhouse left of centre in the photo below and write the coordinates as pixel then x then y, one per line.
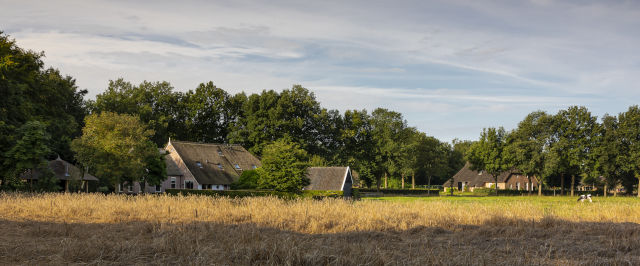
pixel 204 160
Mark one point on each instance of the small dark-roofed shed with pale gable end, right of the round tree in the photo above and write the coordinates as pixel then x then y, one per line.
pixel 330 178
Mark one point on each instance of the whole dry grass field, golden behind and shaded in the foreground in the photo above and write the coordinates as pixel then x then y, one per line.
pixel 151 229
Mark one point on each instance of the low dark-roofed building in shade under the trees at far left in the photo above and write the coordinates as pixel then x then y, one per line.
pixel 64 171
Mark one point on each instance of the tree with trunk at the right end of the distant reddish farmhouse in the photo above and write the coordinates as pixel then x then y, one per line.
pixel 526 146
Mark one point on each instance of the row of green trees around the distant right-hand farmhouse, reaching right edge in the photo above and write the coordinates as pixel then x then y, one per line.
pixel 565 149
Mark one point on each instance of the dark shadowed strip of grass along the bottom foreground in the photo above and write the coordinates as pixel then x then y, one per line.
pixel 496 242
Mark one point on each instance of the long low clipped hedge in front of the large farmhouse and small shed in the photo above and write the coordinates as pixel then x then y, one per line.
pixel 316 194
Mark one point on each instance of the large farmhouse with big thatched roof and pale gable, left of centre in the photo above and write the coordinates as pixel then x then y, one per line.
pixel 192 165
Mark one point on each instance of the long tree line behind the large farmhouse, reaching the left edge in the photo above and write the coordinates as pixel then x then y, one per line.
pixel 43 115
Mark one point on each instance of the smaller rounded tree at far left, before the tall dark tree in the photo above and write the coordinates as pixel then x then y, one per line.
pixel 29 152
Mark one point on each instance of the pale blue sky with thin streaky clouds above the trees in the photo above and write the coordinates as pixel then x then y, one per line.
pixel 450 67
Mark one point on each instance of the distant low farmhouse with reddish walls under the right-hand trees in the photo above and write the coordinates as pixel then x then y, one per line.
pixel 467 179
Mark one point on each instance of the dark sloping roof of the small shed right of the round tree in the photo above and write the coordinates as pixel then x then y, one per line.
pixel 326 178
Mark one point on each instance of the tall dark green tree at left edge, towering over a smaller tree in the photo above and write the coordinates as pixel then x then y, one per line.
pixel 32 93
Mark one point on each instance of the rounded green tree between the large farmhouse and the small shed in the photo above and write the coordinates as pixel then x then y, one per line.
pixel 284 167
